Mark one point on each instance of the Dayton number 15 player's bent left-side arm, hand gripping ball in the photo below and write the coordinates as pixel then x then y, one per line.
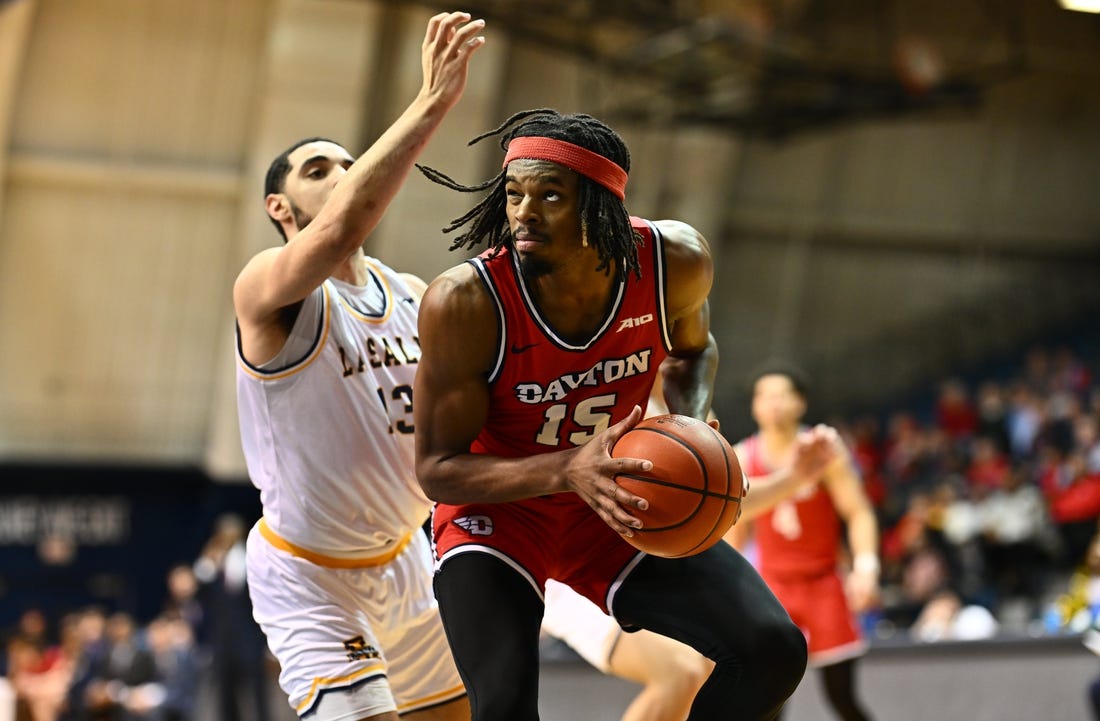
pixel 458 330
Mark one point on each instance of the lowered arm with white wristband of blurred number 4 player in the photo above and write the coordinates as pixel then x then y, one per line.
pixel 846 489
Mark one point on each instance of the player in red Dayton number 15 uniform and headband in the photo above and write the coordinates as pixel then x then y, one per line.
pixel 538 355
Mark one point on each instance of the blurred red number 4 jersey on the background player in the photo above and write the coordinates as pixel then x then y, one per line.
pixel 800 537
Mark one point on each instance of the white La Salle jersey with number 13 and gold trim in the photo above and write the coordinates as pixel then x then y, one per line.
pixel 327 425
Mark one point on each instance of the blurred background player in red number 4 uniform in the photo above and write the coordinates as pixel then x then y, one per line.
pixel 798 541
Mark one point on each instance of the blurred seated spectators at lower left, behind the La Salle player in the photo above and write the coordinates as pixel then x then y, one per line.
pixel 96 664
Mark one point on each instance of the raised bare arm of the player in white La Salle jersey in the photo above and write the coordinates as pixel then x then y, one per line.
pixel 279 279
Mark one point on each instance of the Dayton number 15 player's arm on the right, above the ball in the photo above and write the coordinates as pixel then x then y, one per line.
pixel 688 374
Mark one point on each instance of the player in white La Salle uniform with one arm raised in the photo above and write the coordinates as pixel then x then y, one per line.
pixel 338 570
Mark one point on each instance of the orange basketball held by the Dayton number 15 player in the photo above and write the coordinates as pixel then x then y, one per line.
pixel 695 488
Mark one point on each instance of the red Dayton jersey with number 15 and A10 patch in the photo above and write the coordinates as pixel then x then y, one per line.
pixel 551 395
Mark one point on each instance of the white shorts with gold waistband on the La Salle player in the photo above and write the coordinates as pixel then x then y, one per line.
pixel 353 642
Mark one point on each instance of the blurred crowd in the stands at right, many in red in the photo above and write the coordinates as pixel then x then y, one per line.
pixel 988 499
